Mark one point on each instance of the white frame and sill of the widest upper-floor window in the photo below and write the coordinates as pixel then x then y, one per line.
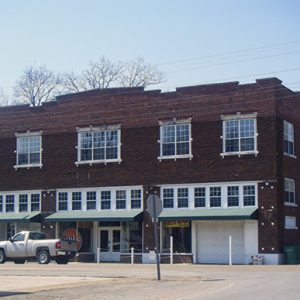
pixel 93 130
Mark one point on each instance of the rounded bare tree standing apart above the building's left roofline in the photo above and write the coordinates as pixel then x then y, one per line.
pixel 37 85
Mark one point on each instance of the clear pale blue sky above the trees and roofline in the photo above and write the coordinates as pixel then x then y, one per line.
pixel 192 41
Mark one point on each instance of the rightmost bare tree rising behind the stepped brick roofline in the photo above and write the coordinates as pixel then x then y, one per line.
pixel 139 73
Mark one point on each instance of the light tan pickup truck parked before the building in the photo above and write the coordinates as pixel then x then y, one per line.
pixel 28 245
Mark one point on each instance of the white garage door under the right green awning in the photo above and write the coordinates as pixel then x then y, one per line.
pixel 213 242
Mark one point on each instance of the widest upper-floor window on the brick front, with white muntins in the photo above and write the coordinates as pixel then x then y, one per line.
pixel 98 146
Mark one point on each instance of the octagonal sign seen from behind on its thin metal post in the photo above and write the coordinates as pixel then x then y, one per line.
pixel 154 206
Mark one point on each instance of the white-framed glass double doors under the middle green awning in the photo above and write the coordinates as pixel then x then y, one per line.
pixel 110 239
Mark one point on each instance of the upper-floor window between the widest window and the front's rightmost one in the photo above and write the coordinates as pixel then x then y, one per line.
pixel 175 140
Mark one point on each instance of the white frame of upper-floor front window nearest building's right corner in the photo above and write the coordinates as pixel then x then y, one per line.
pixel 238 117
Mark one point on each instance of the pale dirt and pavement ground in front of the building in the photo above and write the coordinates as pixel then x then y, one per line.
pixel 121 281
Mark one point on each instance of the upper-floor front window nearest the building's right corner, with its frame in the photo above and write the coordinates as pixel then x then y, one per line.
pixel 239 134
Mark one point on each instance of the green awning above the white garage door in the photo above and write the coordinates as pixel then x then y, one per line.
pixel 209 214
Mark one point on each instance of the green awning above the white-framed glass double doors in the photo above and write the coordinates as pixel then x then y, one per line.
pixel 84 216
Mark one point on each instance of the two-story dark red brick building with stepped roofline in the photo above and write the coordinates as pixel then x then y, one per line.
pixel 222 157
